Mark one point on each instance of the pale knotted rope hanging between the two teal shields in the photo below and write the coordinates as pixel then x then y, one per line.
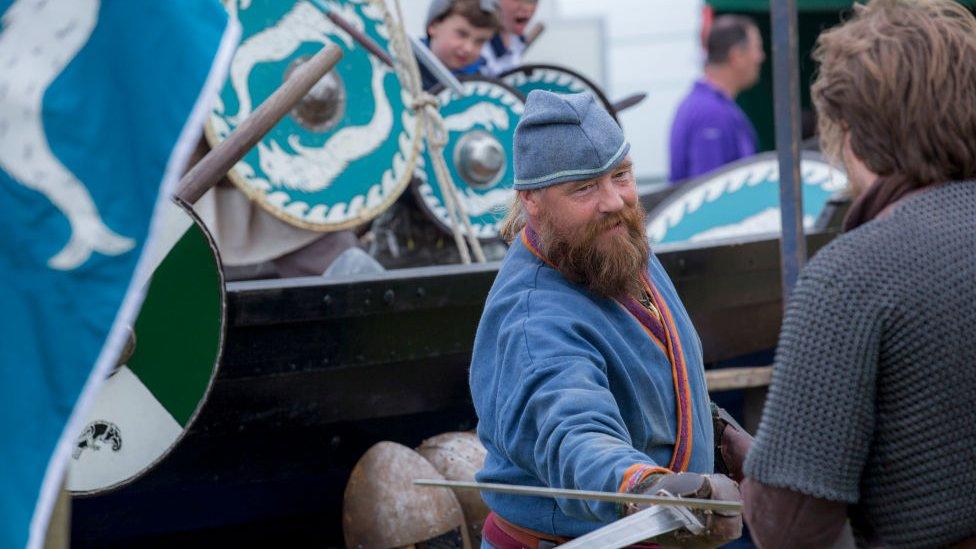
pixel 426 106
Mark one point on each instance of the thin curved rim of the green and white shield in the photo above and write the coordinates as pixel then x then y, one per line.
pixel 213 372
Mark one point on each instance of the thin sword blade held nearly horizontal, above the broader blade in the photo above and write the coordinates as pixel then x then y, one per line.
pixel 615 497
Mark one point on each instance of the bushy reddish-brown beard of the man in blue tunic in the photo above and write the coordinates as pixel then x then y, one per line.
pixel 608 265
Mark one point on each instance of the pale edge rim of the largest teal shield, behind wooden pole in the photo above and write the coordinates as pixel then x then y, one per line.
pixel 365 215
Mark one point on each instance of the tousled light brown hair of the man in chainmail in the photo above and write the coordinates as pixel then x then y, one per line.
pixel 901 77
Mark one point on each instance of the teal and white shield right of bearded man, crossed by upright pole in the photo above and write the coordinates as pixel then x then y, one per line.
pixel 741 199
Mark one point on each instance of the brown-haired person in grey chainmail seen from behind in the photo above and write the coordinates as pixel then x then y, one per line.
pixel 870 412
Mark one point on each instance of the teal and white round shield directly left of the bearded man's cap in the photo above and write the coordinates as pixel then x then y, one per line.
pixel 480 126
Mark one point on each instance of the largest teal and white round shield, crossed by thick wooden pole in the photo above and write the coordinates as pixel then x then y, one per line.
pixel 348 149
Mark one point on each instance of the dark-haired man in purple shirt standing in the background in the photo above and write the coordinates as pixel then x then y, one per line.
pixel 709 129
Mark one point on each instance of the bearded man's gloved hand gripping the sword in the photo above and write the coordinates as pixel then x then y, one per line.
pixel 720 526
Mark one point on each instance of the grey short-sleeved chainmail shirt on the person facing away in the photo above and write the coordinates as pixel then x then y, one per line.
pixel 873 398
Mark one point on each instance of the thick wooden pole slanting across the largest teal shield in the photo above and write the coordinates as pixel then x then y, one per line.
pixel 215 165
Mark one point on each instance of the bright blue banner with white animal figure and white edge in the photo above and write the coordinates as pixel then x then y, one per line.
pixel 101 104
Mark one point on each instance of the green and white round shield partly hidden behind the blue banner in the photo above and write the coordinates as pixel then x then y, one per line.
pixel 146 405
